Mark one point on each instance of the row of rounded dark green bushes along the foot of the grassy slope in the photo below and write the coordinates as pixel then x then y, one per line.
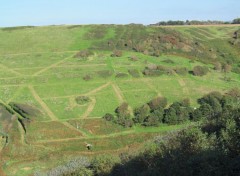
pixel 155 112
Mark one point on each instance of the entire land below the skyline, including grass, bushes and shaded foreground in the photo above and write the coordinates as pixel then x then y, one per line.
pixel 120 100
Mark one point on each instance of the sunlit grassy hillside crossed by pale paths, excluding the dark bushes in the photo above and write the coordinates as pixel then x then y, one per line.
pixel 41 68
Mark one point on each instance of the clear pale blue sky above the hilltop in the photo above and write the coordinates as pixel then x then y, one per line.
pixel 56 12
